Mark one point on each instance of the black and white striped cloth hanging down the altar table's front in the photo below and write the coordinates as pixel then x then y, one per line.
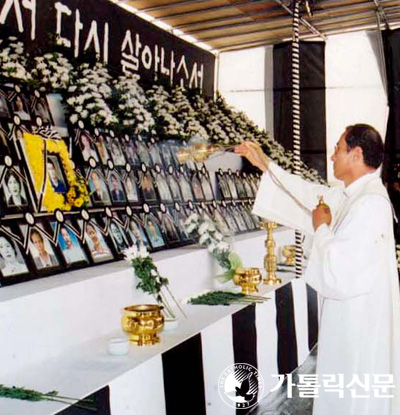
pixel 275 337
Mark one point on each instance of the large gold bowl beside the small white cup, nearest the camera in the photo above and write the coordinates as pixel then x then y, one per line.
pixel 143 322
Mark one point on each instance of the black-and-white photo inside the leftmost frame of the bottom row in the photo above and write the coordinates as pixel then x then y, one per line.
pixel 12 262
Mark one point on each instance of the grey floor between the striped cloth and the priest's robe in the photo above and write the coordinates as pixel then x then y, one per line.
pixel 277 403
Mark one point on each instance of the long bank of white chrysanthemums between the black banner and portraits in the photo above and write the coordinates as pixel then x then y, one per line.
pixel 100 100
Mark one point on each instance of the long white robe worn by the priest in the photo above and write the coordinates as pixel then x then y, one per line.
pixel 352 266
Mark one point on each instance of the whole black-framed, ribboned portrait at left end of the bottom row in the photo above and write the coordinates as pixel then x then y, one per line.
pixel 13 265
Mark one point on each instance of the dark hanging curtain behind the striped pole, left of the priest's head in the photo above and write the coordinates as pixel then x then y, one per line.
pixel 312 97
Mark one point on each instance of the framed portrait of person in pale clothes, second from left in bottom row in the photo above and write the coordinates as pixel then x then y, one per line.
pixel 41 248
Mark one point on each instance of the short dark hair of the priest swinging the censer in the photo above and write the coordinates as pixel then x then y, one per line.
pixel 369 140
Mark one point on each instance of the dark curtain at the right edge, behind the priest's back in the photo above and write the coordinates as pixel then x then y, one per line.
pixel 391 42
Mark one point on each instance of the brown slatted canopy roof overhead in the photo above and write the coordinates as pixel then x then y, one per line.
pixel 238 24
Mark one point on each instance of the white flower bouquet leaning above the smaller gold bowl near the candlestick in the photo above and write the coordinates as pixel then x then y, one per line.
pixel 209 236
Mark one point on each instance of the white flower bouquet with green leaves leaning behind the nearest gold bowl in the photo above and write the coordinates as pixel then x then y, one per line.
pixel 150 280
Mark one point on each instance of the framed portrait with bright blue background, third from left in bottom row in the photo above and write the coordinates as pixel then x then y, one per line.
pixel 70 245
